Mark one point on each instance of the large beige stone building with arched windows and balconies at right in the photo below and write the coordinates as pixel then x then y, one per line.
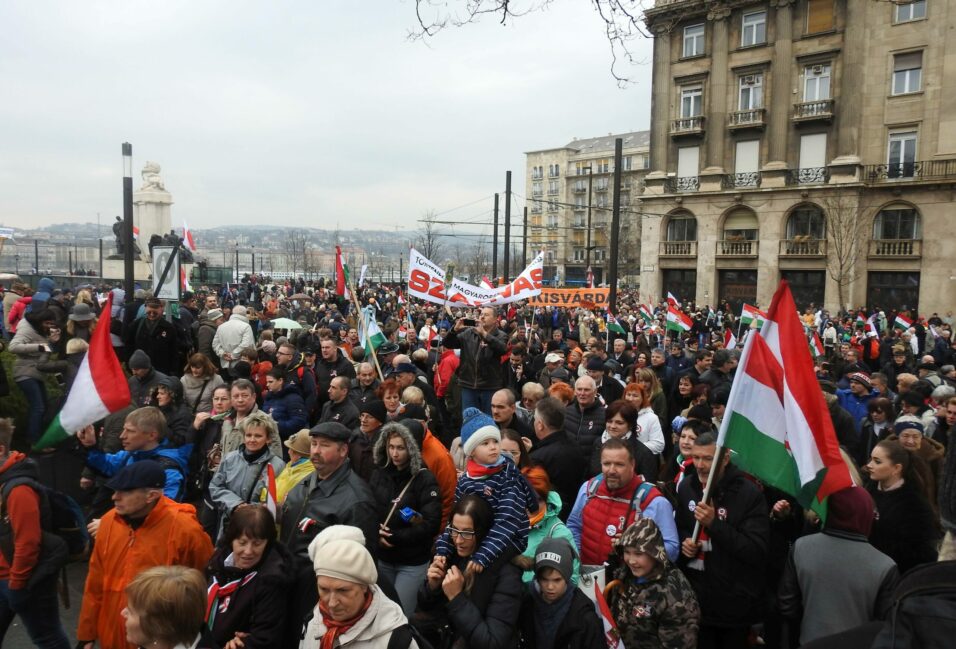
pixel 812 140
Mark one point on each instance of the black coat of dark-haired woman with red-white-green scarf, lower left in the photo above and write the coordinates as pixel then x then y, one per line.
pixel 259 607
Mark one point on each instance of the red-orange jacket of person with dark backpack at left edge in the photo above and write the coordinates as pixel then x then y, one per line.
pixel 23 508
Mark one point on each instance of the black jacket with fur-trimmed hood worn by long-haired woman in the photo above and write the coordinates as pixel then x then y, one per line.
pixel 412 541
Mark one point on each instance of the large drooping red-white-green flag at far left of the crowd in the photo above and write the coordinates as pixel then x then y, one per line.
pixel 100 388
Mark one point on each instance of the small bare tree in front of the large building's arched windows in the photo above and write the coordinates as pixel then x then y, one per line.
pixel 846 234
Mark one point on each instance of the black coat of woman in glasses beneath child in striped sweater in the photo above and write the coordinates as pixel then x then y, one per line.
pixel 485 618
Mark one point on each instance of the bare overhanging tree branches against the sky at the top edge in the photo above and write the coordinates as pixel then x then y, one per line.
pixel 623 20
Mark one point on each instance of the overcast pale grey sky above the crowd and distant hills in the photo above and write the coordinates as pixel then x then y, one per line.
pixel 301 113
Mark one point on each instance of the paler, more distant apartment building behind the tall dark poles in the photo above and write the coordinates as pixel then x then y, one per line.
pixel 569 194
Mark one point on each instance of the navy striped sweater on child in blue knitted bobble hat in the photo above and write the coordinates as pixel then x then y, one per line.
pixel 511 498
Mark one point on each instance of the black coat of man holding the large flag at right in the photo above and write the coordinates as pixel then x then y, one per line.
pixel 731 588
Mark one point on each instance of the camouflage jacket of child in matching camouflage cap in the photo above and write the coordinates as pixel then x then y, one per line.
pixel 658 614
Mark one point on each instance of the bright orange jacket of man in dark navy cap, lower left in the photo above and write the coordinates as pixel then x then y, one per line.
pixel 170 535
